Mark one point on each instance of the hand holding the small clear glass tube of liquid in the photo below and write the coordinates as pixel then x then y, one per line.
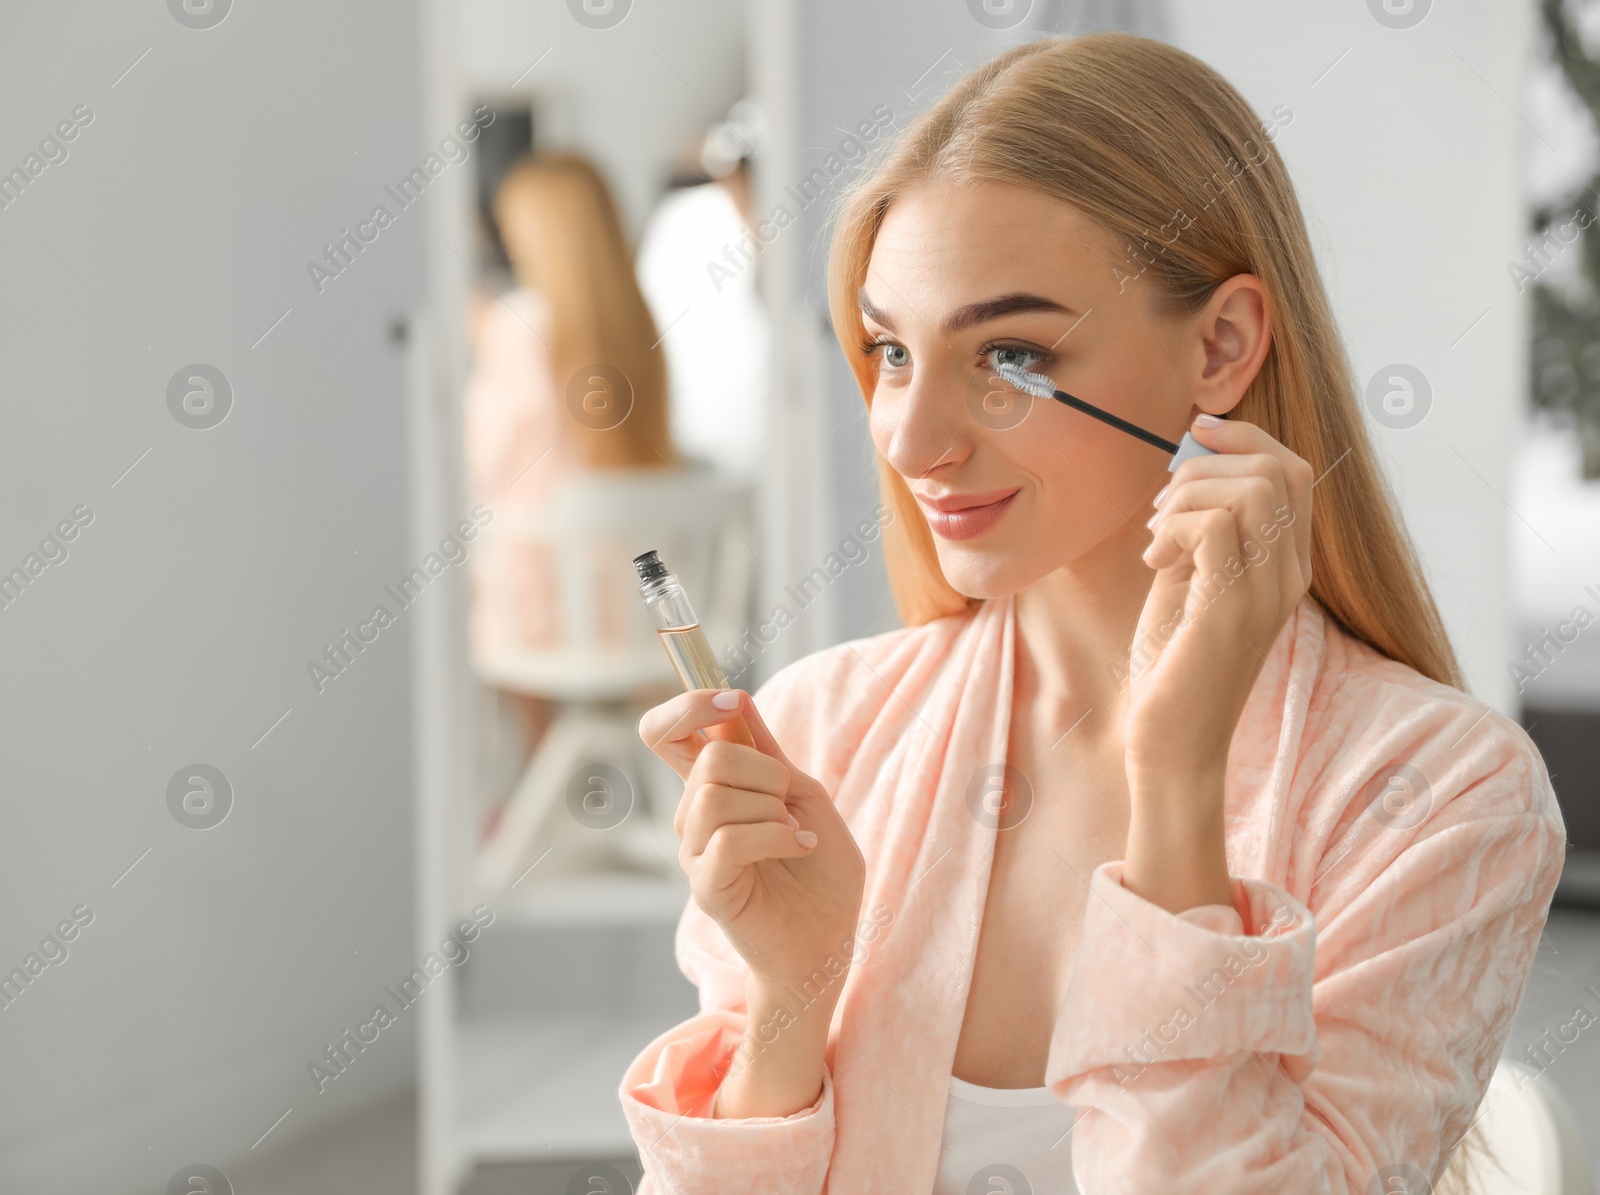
pixel 785 906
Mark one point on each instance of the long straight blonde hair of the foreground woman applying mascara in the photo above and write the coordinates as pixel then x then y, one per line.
pixel 1134 132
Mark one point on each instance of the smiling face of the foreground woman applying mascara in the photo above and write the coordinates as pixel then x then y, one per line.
pixel 964 279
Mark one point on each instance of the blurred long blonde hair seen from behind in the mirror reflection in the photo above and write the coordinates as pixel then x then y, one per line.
pixel 564 236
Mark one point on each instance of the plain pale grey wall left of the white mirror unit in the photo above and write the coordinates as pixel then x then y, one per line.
pixel 217 566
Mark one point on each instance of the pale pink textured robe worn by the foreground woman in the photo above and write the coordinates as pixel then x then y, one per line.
pixel 1343 1017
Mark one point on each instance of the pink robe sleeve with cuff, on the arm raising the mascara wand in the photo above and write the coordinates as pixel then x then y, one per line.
pixel 1311 1044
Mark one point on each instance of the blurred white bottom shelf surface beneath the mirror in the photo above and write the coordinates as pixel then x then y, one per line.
pixel 546 1090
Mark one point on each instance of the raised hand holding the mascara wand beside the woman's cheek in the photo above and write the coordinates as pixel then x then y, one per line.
pixel 1233 561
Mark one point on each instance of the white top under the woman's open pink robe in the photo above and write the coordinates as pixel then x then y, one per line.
pixel 1006 1141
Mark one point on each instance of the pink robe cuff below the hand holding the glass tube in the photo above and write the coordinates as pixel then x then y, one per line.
pixel 666 1097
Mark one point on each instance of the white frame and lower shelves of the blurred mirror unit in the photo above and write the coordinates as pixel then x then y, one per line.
pixel 521 1050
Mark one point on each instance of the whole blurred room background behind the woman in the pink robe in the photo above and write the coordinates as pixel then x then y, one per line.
pixel 350 354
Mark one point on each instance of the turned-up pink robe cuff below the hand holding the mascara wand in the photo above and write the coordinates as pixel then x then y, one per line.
pixel 1215 981
